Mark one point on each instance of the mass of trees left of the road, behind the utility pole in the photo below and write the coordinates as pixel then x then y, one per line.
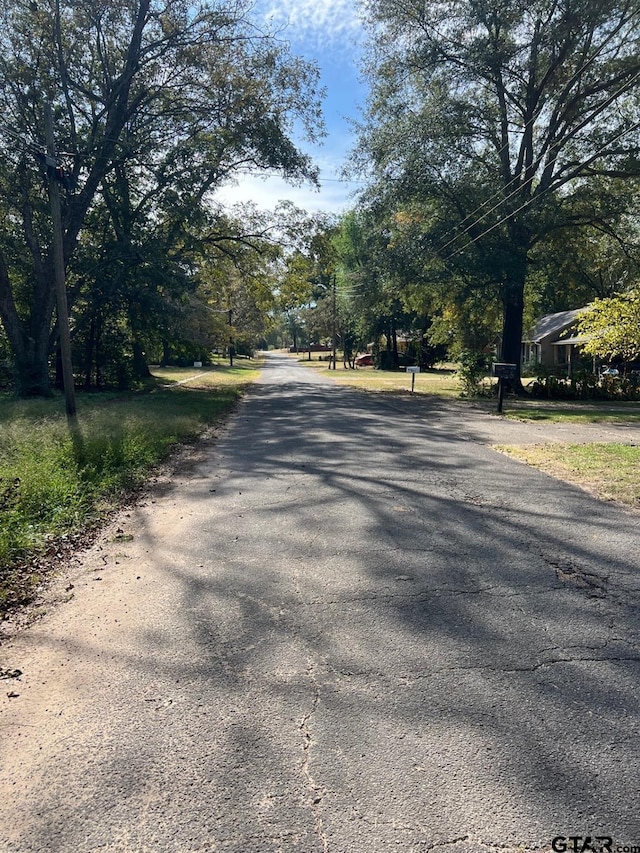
pixel 155 105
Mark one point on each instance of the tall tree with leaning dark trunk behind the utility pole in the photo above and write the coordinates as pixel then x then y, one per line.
pixel 170 97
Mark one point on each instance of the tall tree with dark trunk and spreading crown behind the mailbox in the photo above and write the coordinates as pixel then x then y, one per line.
pixel 510 114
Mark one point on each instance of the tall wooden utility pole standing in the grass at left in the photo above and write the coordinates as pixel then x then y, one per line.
pixel 59 272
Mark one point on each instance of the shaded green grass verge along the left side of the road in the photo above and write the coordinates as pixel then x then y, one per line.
pixel 56 482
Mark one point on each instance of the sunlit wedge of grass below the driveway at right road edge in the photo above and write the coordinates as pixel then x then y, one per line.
pixel 610 471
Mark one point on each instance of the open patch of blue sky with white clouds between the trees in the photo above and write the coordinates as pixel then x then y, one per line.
pixel 329 33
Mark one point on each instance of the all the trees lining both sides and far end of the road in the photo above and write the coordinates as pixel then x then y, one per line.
pixel 500 147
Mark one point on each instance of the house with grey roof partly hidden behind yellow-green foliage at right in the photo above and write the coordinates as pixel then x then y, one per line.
pixel 553 342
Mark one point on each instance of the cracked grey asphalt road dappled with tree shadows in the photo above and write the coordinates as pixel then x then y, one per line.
pixel 346 629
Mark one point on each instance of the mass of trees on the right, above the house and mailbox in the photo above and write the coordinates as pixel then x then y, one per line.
pixel 502 143
